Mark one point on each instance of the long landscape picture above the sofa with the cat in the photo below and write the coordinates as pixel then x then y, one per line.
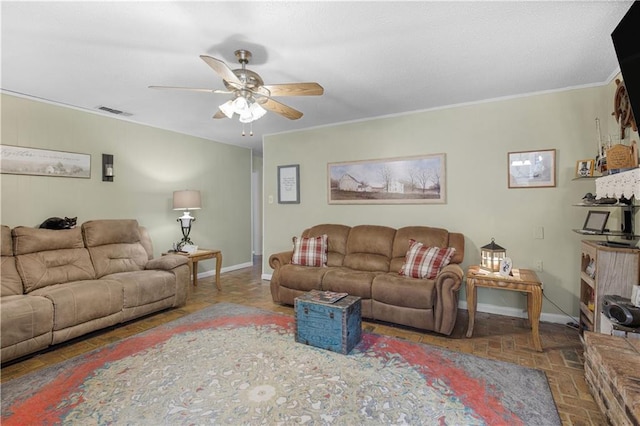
pixel 19 160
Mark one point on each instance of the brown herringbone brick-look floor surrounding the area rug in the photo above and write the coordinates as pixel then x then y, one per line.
pixel 495 337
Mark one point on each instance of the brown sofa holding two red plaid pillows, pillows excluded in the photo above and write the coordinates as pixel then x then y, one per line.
pixel 364 261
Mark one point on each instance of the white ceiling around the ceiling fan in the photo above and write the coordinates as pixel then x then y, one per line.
pixel 372 58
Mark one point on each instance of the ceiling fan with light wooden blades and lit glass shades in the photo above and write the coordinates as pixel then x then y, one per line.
pixel 251 97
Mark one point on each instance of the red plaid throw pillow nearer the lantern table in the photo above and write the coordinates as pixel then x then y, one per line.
pixel 425 262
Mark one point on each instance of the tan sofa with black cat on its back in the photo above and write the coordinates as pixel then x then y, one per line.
pixel 61 284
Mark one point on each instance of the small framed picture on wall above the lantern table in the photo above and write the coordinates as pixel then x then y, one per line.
pixel 532 169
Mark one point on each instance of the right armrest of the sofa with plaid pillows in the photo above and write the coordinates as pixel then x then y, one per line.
pixel 448 284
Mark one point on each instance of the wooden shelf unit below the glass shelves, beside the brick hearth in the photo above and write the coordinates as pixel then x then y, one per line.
pixel 615 271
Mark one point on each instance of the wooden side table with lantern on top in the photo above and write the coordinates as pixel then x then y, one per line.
pixel 523 280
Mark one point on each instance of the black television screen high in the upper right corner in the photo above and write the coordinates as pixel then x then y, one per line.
pixel 626 41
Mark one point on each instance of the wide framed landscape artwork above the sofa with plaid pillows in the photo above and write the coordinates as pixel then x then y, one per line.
pixel 405 180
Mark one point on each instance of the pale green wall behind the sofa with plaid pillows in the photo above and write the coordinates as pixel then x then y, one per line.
pixel 476 139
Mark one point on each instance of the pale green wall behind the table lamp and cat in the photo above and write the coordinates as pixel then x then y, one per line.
pixel 149 165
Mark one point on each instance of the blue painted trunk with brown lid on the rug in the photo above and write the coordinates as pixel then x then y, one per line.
pixel 333 326
